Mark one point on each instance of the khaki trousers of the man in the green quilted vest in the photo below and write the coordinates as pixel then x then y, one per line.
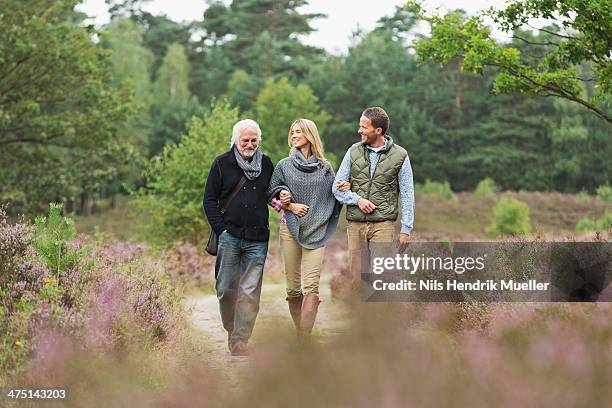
pixel 361 236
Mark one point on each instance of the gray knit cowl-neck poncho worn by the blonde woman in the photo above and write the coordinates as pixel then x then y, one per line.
pixel 309 182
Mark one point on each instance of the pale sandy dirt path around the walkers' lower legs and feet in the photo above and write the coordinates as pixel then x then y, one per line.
pixel 273 315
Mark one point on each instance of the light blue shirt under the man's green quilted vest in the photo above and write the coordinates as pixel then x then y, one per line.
pixel 406 186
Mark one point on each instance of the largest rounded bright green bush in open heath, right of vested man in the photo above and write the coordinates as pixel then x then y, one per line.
pixel 510 217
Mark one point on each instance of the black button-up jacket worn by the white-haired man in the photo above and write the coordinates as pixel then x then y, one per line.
pixel 247 214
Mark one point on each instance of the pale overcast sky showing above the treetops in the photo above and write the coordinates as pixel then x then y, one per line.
pixel 333 32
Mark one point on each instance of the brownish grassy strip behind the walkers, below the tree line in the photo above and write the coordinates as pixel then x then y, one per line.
pixel 435 218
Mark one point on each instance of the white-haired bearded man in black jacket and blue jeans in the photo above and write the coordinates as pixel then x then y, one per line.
pixel 235 203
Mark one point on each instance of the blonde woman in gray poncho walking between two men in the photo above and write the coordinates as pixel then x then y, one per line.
pixel 303 182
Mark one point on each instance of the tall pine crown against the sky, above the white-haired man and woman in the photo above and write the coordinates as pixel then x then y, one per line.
pixel 257 36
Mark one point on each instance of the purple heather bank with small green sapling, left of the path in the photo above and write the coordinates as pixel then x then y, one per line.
pixel 96 297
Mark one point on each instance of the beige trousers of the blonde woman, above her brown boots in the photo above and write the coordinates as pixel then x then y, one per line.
pixel 302 266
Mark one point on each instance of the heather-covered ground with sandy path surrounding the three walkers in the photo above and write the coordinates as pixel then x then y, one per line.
pixel 121 321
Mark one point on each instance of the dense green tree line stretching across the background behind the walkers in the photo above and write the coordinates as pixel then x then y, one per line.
pixel 83 111
